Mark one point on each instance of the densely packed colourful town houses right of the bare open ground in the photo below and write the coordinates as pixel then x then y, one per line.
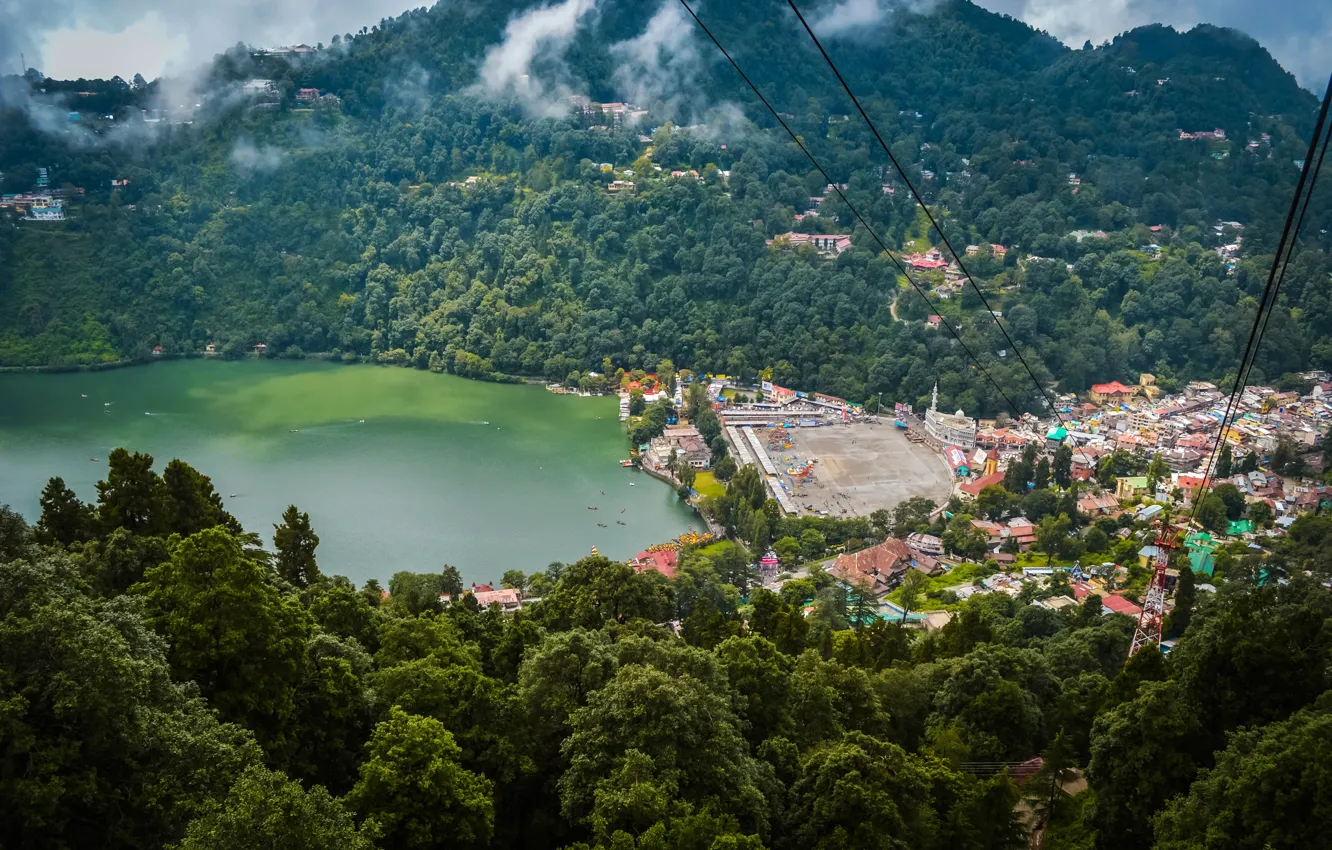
pixel 1271 447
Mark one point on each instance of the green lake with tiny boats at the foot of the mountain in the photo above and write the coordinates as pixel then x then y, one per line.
pixel 399 470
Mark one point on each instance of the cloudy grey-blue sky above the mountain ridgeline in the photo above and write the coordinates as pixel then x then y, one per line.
pixel 105 38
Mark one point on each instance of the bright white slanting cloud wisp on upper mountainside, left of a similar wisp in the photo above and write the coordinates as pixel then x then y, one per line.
pixel 529 63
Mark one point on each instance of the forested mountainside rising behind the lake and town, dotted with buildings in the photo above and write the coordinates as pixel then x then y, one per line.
pixel 442 216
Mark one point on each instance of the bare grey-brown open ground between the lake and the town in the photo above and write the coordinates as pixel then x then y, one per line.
pixel 861 468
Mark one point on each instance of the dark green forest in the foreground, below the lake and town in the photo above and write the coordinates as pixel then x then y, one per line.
pixel 166 680
